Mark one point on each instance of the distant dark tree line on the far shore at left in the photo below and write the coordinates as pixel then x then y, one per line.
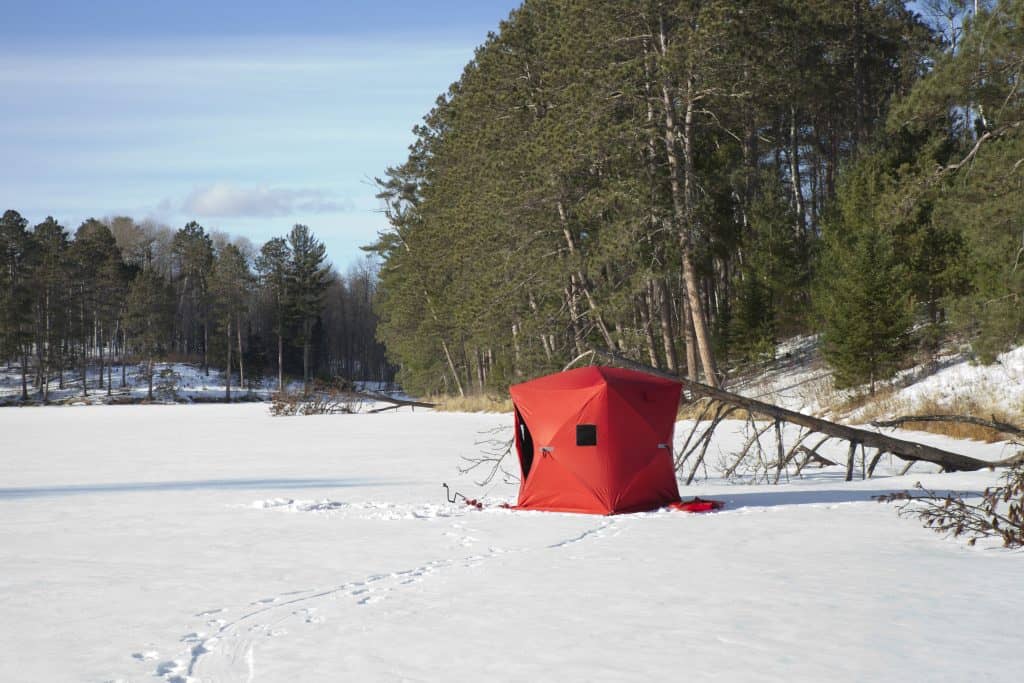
pixel 119 292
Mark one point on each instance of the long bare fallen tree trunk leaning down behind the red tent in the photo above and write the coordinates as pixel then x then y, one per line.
pixel 910 451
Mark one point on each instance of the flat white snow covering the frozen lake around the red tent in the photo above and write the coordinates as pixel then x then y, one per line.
pixel 216 543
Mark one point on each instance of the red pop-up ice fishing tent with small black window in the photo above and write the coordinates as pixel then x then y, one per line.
pixel 598 441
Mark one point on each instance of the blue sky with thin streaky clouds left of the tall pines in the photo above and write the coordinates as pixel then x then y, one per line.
pixel 248 117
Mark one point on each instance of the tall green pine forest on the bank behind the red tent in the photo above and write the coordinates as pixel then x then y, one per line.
pixel 689 183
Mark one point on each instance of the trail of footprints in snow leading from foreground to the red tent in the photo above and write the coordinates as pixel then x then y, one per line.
pixel 267 618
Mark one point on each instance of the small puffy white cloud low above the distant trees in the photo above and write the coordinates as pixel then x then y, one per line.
pixel 224 200
